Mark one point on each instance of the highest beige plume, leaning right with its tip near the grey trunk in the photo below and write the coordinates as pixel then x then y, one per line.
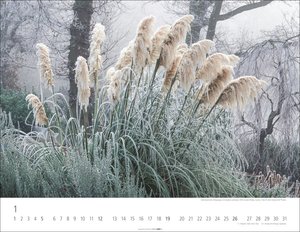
pixel 176 35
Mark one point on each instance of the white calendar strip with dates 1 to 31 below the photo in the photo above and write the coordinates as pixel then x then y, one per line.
pixel 146 214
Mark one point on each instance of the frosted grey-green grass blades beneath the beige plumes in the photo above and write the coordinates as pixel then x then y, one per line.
pixel 146 145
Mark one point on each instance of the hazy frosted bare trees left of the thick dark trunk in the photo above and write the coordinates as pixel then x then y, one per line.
pixel 25 23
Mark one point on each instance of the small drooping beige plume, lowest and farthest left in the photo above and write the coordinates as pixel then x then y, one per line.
pixel 38 109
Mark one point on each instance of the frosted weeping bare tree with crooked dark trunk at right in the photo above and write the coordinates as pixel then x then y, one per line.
pixel 275 113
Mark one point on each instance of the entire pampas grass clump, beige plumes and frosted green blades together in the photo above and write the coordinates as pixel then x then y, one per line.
pixel 143 139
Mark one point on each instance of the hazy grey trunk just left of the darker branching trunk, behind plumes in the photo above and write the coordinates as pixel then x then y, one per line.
pixel 198 8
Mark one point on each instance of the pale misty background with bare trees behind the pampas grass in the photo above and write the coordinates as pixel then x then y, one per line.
pixel 266 38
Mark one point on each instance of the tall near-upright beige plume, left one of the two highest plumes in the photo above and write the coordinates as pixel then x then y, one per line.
pixel 142 43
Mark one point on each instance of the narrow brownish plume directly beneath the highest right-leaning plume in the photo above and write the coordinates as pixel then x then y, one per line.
pixel 171 72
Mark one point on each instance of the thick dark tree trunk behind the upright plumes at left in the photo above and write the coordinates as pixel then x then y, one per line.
pixel 79 43
